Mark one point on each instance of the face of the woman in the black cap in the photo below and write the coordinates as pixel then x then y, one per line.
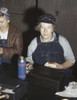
pixel 46 30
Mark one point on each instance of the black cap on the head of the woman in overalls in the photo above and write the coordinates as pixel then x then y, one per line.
pixel 47 18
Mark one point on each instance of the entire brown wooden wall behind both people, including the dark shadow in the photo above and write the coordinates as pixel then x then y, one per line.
pixel 24 13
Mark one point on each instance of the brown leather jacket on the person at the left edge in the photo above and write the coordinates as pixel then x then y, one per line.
pixel 14 43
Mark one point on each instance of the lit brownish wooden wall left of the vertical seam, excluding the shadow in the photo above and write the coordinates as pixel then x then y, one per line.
pixel 17 9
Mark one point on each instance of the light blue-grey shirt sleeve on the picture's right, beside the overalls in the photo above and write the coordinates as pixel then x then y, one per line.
pixel 68 53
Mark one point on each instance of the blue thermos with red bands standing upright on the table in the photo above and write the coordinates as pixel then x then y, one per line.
pixel 21 68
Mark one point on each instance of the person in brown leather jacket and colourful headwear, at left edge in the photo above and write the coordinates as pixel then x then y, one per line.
pixel 11 42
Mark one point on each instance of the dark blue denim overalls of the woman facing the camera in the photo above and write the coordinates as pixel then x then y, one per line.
pixel 50 52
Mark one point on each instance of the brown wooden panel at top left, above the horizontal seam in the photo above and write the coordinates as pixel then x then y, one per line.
pixel 17 6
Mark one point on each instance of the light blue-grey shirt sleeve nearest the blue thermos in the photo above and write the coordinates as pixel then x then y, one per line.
pixel 31 48
